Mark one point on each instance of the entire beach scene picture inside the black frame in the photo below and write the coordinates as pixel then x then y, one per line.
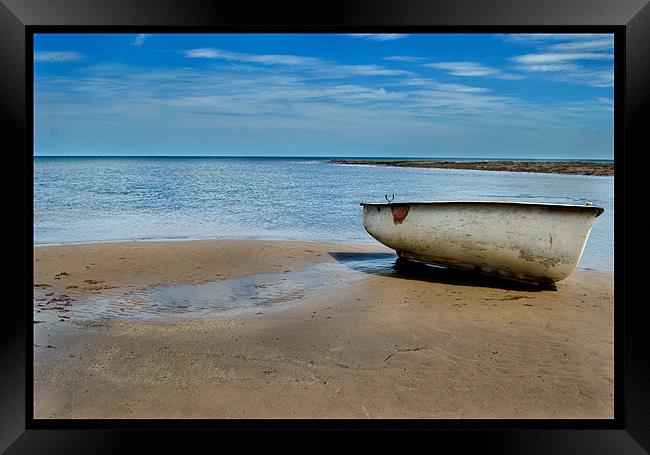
pixel 323 226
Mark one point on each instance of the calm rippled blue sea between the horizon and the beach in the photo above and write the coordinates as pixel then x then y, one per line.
pixel 109 199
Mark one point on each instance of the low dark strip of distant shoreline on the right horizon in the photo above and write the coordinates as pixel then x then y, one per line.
pixel 547 167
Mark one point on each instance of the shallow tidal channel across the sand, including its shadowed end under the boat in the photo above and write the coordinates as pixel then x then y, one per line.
pixel 251 293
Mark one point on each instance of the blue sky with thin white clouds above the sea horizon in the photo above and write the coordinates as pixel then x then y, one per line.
pixel 410 95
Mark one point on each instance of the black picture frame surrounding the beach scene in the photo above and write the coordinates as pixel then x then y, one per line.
pixel 629 432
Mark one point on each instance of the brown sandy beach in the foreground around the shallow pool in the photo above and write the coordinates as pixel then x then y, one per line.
pixel 377 343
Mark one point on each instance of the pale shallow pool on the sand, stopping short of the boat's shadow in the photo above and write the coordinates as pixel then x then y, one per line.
pixel 226 297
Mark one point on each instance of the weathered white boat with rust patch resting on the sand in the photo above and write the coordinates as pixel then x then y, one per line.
pixel 523 241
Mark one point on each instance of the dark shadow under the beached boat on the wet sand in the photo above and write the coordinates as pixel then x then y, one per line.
pixel 388 264
